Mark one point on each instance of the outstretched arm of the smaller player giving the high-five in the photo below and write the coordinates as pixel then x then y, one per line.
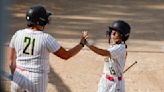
pixel 99 51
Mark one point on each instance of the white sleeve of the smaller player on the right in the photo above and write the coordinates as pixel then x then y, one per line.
pixel 116 51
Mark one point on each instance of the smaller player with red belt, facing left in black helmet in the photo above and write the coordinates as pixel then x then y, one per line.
pixel 112 78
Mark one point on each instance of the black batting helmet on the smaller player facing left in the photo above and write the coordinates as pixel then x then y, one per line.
pixel 122 27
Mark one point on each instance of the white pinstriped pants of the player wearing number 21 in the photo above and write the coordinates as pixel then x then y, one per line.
pixel 25 81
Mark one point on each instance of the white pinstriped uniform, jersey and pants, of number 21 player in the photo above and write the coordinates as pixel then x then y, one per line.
pixel 33 59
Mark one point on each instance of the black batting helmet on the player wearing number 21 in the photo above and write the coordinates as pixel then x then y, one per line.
pixel 37 15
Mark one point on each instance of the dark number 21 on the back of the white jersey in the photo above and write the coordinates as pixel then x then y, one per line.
pixel 29 45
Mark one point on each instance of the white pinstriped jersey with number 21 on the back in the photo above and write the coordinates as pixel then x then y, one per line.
pixel 32 49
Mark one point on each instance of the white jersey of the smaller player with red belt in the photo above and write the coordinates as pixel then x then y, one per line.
pixel 114 66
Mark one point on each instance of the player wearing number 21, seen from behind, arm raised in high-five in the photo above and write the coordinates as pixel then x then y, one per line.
pixel 29 52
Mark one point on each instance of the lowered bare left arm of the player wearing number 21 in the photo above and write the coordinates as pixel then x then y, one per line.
pixel 12 58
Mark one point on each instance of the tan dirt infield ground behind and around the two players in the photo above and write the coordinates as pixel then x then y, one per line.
pixel 82 72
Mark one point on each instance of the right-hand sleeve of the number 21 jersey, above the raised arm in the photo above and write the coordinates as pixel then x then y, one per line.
pixel 51 44
